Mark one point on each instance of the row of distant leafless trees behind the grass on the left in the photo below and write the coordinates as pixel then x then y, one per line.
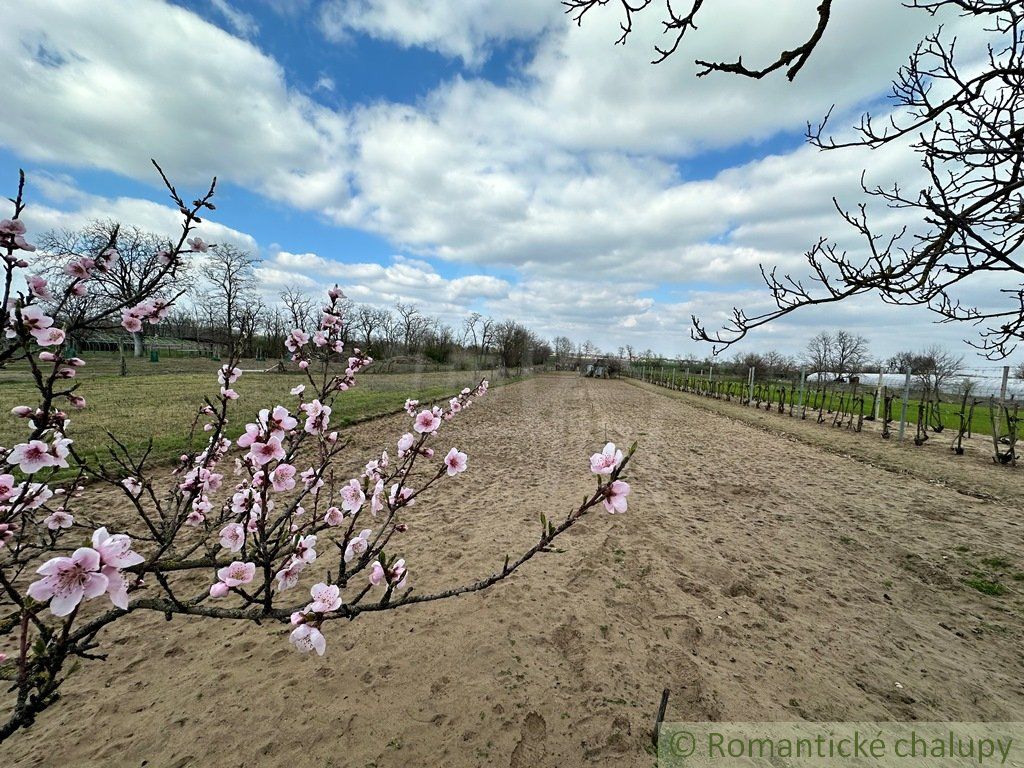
pixel 224 306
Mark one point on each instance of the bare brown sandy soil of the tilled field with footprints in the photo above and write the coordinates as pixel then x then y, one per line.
pixel 756 577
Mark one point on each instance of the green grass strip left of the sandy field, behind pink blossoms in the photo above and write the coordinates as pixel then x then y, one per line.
pixel 161 405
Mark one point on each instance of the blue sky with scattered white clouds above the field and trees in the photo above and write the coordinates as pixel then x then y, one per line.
pixel 464 156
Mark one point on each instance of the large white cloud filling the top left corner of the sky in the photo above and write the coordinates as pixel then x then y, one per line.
pixel 103 88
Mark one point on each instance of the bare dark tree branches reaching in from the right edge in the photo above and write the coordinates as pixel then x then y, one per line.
pixel 965 122
